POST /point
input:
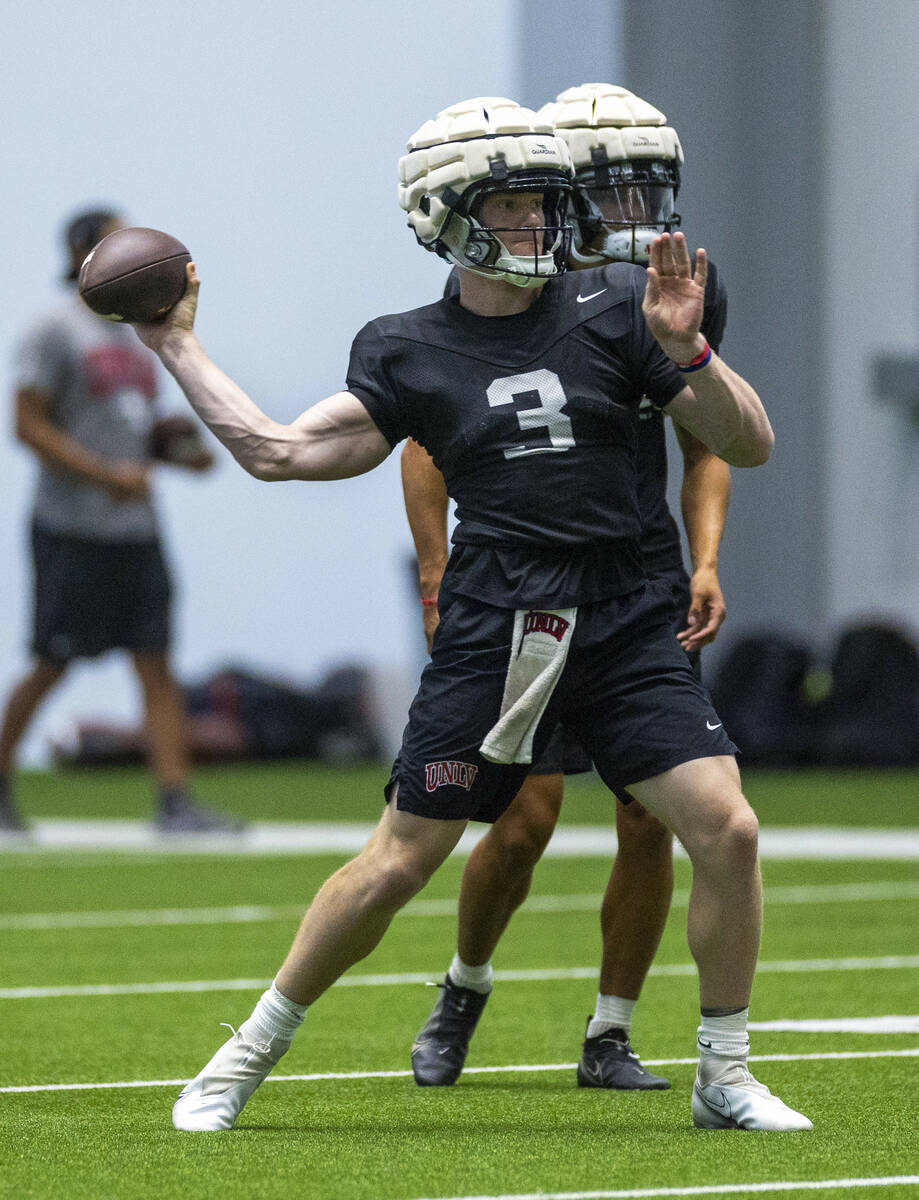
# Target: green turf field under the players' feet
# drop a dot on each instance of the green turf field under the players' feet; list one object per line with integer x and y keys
{"x": 118, "y": 969}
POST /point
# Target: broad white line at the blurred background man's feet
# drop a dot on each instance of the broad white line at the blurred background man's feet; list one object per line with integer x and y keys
{"x": 269, "y": 838}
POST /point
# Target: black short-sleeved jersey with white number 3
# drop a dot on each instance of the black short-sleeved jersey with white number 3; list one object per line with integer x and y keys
{"x": 533, "y": 422}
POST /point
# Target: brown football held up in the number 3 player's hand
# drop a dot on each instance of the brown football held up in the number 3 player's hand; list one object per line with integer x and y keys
{"x": 136, "y": 275}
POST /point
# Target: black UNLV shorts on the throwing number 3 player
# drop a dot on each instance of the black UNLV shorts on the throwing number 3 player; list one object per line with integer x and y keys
{"x": 628, "y": 695}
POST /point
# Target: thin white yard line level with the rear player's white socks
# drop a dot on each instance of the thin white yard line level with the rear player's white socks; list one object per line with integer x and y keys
{"x": 886, "y": 963}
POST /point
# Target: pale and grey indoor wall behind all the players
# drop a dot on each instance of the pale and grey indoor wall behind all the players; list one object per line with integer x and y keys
{"x": 268, "y": 140}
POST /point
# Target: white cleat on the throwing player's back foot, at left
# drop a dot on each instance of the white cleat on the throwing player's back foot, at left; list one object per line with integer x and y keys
{"x": 219, "y": 1093}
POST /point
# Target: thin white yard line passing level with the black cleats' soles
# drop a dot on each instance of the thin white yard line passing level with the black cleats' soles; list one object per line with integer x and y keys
{"x": 515, "y": 1070}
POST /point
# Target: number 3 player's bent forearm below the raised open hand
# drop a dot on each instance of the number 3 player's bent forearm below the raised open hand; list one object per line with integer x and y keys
{"x": 725, "y": 415}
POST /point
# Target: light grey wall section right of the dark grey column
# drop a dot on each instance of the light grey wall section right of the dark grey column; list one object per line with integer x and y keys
{"x": 873, "y": 307}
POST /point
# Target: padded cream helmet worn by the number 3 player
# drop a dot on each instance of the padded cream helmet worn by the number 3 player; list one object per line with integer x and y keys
{"x": 479, "y": 148}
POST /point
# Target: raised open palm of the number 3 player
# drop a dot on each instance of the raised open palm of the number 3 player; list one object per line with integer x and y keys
{"x": 675, "y": 298}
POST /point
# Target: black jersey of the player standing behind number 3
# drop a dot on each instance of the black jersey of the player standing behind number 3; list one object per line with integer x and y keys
{"x": 660, "y": 538}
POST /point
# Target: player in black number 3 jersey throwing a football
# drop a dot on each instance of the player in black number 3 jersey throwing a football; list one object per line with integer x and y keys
{"x": 526, "y": 399}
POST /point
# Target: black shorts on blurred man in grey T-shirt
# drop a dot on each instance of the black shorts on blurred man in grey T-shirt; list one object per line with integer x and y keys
{"x": 93, "y": 597}
